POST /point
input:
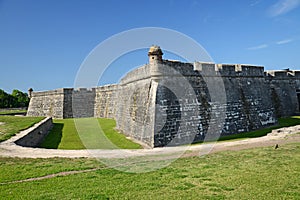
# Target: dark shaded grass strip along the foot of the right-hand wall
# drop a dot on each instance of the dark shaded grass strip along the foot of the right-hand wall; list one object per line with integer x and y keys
{"x": 282, "y": 122}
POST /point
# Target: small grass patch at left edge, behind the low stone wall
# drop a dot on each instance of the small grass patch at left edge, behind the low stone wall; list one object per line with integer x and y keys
{"x": 14, "y": 124}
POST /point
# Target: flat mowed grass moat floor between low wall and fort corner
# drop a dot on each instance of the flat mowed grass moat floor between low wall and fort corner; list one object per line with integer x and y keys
{"x": 86, "y": 133}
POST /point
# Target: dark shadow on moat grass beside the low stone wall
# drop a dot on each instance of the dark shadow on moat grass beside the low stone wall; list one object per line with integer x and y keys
{"x": 53, "y": 139}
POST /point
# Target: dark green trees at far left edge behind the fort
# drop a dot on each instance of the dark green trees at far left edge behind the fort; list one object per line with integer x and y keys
{"x": 16, "y": 99}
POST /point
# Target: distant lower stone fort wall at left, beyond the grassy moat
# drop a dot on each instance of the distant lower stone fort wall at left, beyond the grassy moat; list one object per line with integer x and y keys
{"x": 75, "y": 103}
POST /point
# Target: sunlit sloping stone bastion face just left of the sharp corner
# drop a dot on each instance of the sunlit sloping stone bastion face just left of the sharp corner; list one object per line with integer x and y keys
{"x": 135, "y": 107}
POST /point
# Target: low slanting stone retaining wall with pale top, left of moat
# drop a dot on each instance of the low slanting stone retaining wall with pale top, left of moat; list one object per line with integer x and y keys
{"x": 33, "y": 136}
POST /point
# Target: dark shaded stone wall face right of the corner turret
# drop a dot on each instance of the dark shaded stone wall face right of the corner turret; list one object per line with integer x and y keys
{"x": 190, "y": 116}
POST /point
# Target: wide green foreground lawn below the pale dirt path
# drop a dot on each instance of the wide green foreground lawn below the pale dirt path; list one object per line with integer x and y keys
{"x": 261, "y": 173}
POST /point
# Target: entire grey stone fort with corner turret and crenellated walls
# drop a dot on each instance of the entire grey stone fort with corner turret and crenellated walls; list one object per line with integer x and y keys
{"x": 146, "y": 107}
